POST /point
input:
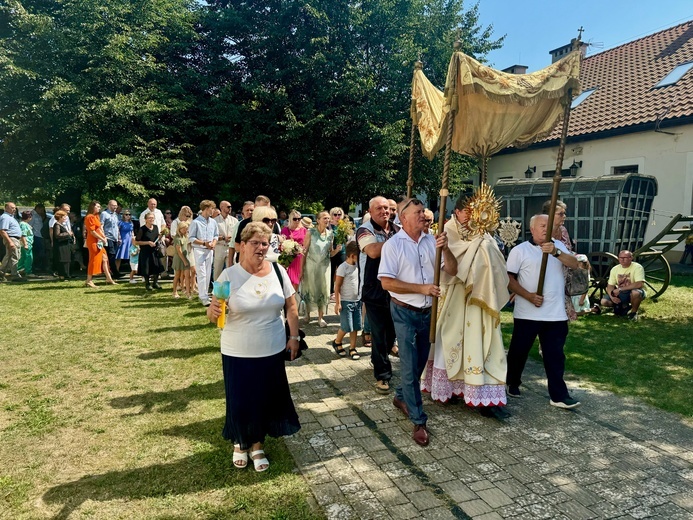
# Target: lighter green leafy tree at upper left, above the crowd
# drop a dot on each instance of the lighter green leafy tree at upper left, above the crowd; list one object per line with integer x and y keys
{"x": 92, "y": 99}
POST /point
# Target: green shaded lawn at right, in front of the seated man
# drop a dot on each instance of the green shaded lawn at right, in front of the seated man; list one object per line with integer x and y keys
{"x": 651, "y": 359}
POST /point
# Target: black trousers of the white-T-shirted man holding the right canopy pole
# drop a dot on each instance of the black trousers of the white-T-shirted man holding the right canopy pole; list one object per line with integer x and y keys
{"x": 552, "y": 336}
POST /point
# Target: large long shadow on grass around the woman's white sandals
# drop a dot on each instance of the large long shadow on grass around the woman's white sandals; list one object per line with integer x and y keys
{"x": 204, "y": 471}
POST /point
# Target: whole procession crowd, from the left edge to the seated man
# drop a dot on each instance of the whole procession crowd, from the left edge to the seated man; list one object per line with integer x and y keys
{"x": 380, "y": 277}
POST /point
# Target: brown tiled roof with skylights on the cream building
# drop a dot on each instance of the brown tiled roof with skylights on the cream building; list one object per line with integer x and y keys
{"x": 625, "y": 76}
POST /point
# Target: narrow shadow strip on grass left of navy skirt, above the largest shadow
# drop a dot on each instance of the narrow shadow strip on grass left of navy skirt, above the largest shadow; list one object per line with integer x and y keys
{"x": 169, "y": 402}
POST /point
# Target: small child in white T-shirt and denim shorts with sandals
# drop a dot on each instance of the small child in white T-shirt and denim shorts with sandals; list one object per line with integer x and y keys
{"x": 347, "y": 302}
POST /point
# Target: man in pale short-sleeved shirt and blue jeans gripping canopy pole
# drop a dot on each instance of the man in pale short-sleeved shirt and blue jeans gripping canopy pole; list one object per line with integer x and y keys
{"x": 406, "y": 271}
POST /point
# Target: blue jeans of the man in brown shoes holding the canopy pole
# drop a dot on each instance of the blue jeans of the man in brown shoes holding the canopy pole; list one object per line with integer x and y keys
{"x": 412, "y": 329}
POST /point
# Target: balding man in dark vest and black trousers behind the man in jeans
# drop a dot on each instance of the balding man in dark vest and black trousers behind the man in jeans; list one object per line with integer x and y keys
{"x": 370, "y": 238}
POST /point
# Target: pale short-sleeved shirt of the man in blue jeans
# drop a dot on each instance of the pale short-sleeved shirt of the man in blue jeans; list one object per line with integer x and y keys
{"x": 410, "y": 261}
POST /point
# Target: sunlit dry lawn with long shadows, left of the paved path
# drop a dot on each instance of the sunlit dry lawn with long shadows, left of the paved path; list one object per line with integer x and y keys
{"x": 112, "y": 405}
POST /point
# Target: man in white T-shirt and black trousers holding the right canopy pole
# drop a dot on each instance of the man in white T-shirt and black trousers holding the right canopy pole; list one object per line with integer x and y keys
{"x": 536, "y": 315}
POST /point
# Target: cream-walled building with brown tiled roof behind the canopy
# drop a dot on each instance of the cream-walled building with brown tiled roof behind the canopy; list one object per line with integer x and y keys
{"x": 634, "y": 115}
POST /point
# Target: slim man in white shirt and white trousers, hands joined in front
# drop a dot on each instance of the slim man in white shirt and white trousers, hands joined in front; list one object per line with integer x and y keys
{"x": 203, "y": 235}
